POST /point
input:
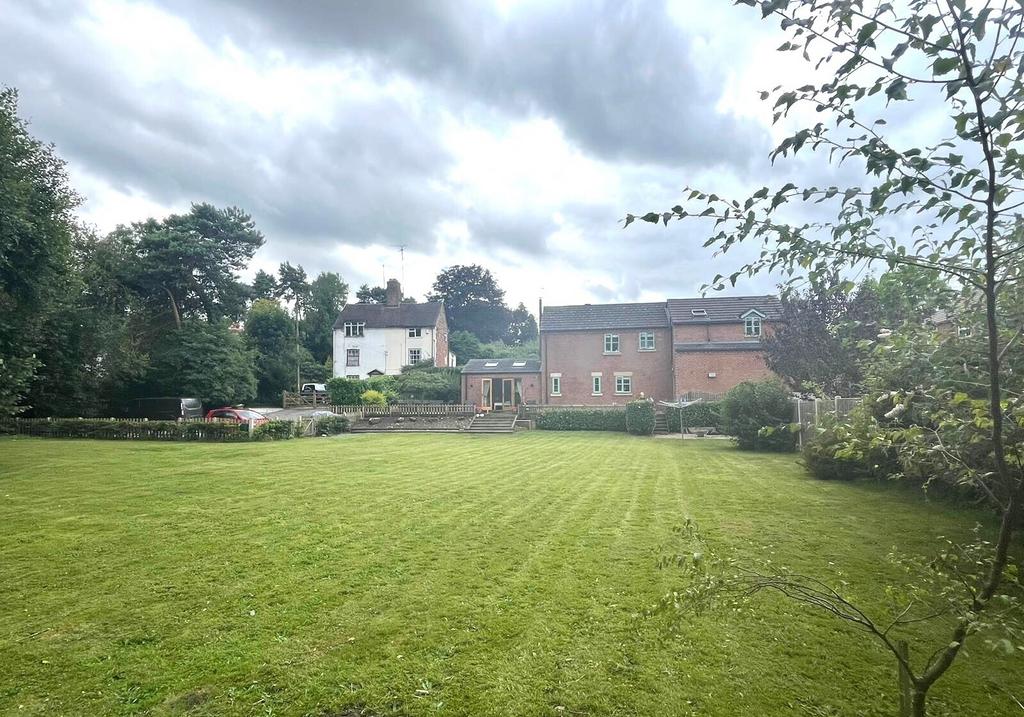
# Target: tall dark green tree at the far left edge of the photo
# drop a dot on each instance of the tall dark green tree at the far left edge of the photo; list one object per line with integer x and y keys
{"x": 36, "y": 228}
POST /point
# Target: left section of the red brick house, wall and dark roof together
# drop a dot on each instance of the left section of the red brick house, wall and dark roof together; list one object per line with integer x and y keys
{"x": 601, "y": 355}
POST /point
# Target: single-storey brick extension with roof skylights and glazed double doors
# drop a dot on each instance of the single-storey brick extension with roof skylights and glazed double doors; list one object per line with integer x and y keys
{"x": 496, "y": 385}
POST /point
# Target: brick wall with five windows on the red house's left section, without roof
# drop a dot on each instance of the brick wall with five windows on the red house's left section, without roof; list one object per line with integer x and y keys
{"x": 577, "y": 355}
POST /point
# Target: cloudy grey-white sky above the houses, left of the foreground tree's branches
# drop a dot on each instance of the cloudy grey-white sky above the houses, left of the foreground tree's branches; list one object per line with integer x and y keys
{"x": 515, "y": 135}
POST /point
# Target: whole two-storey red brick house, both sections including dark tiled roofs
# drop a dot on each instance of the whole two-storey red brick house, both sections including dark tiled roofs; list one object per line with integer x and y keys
{"x": 601, "y": 355}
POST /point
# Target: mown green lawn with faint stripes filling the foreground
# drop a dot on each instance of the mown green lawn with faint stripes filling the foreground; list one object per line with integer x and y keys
{"x": 438, "y": 575}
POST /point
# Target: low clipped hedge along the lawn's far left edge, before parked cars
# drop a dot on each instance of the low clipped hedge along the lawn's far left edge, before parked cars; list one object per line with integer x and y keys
{"x": 222, "y": 432}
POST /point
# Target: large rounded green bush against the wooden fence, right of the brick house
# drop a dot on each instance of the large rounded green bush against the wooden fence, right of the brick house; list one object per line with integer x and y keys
{"x": 758, "y": 414}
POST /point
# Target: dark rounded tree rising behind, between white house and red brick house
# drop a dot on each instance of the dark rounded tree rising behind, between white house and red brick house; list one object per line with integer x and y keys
{"x": 474, "y": 302}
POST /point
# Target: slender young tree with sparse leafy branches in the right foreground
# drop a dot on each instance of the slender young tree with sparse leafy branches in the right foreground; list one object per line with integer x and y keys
{"x": 966, "y": 190}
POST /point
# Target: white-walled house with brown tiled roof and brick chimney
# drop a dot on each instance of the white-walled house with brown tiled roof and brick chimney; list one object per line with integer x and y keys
{"x": 380, "y": 340}
